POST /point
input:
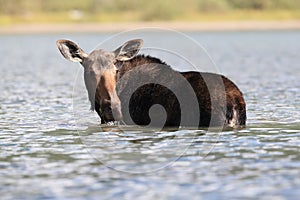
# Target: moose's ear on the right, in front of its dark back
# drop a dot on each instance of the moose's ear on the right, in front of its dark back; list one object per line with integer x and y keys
{"x": 128, "y": 50}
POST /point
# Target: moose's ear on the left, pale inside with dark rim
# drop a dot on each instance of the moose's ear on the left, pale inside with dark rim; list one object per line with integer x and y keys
{"x": 71, "y": 51}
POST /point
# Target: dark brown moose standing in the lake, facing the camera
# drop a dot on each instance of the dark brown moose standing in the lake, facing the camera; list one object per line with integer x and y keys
{"x": 112, "y": 80}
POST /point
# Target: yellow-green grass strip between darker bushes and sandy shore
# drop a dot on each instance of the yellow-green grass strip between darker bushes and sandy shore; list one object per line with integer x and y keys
{"x": 71, "y": 17}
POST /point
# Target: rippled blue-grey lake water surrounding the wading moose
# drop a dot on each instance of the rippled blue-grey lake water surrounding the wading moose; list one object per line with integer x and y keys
{"x": 48, "y": 152}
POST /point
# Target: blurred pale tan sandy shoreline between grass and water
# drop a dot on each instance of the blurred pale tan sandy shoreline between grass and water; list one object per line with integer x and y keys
{"x": 179, "y": 26}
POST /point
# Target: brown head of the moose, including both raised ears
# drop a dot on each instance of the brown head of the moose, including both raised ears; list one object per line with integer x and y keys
{"x": 100, "y": 74}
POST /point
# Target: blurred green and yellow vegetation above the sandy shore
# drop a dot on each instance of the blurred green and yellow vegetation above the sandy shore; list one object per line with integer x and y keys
{"x": 68, "y": 11}
